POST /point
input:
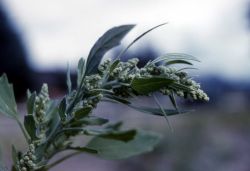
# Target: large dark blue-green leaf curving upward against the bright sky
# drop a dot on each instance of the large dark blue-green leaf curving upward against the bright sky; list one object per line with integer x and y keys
{"x": 109, "y": 40}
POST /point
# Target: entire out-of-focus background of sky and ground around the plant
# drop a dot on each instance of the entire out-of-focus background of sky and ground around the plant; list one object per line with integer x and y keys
{"x": 38, "y": 38}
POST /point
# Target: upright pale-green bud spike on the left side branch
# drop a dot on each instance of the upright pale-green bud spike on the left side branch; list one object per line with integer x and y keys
{"x": 41, "y": 103}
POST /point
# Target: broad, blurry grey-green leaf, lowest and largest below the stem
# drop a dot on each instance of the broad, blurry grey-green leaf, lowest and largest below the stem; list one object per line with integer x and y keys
{"x": 114, "y": 149}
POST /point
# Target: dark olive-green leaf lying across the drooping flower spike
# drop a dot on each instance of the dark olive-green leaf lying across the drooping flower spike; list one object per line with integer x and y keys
{"x": 145, "y": 85}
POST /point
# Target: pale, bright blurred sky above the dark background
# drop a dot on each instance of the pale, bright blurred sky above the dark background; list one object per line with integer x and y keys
{"x": 60, "y": 31}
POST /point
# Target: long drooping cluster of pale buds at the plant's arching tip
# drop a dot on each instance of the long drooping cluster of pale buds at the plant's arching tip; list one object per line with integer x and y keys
{"x": 125, "y": 72}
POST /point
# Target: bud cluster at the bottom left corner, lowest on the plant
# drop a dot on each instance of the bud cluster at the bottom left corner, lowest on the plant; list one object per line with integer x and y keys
{"x": 28, "y": 160}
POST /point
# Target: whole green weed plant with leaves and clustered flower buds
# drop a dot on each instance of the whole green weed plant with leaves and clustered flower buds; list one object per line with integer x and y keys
{"x": 50, "y": 126}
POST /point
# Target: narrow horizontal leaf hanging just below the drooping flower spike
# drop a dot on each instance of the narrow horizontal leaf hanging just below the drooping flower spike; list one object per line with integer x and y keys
{"x": 157, "y": 111}
